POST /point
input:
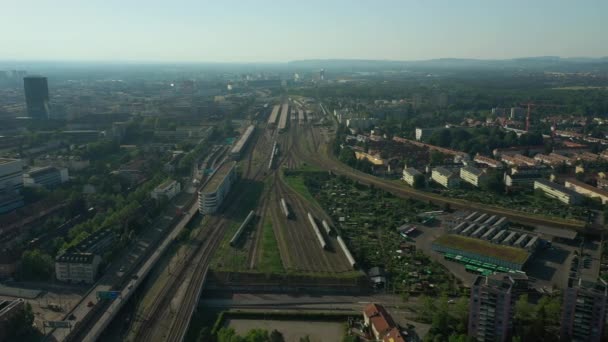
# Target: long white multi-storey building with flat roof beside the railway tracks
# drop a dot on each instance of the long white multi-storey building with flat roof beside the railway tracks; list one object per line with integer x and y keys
{"x": 217, "y": 188}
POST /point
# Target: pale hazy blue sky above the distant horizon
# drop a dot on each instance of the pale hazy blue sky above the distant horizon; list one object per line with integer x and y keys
{"x": 283, "y": 30}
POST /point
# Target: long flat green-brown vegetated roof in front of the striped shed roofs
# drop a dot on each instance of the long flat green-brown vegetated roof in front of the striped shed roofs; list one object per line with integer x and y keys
{"x": 482, "y": 247}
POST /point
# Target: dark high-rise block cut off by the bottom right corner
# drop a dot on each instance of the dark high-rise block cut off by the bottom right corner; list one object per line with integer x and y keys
{"x": 584, "y": 310}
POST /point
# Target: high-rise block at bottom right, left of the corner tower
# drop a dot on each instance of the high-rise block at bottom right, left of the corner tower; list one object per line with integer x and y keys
{"x": 491, "y": 306}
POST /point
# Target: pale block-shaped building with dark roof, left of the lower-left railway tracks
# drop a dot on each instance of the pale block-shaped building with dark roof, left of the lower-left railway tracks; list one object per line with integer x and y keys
{"x": 77, "y": 267}
